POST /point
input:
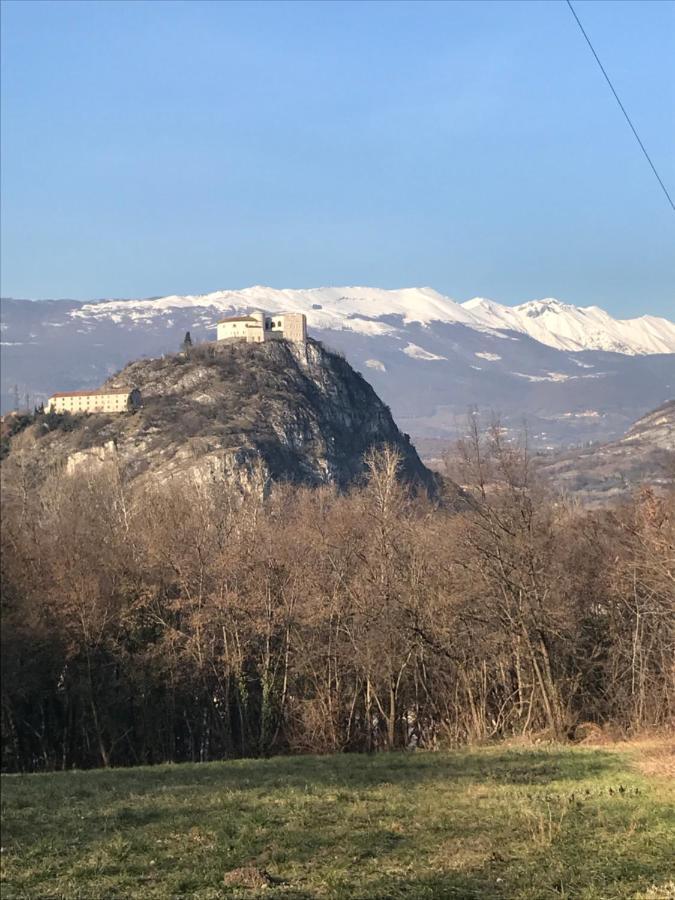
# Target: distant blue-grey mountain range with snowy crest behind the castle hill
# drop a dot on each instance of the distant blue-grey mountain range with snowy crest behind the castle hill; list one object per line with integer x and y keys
{"x": 573, "y": 374}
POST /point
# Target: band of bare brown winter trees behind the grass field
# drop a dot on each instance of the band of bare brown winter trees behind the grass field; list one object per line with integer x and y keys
{"x": 192, "y": 622}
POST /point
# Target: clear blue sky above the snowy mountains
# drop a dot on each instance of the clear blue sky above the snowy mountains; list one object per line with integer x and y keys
{"x": 182, "y": 147}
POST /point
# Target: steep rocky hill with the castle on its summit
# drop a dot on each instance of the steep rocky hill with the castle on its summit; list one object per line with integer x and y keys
{"x": 285, "y": 411}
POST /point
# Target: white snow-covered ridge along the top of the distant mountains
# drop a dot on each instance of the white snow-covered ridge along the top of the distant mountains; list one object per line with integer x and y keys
{"x": 377, "y": 311}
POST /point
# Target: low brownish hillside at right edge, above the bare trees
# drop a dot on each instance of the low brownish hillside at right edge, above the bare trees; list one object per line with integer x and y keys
{"x": 606, "y": 472}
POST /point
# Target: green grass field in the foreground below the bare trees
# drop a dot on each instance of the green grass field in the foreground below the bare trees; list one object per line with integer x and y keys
{"x": 496, "y": 823}
